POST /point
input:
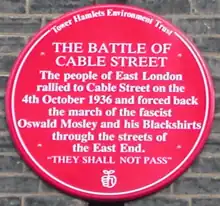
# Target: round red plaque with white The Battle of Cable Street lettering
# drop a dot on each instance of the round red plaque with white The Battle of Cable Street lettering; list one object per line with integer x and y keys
{"x": 110, "y": 103}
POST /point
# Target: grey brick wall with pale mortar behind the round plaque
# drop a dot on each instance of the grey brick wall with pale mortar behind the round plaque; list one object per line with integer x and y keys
{"x": 19, "y": 19}
